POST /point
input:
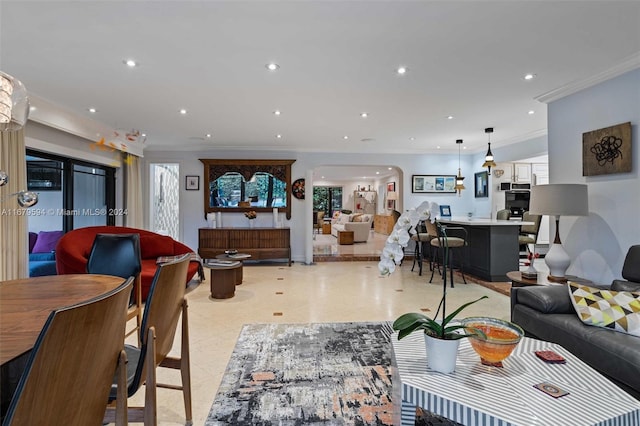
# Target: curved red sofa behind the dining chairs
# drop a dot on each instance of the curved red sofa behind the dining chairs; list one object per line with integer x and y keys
{"x": 73, "y": 249}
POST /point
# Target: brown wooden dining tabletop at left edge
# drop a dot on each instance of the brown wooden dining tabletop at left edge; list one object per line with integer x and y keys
{"x": 25, "y": 305}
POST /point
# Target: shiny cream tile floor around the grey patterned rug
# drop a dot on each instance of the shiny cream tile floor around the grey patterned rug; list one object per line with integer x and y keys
{"x": 323, "y": 292}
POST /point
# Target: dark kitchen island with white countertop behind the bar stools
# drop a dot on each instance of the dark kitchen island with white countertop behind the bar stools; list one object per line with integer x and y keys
{"x": 493, "y": 248}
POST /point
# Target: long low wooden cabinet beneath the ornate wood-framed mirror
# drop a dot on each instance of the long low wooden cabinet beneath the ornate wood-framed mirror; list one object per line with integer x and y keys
{"x": 260, "y": 243}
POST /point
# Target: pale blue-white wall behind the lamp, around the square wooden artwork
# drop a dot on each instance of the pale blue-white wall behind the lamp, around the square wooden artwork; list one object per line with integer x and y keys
{"x": 597, "y": 243}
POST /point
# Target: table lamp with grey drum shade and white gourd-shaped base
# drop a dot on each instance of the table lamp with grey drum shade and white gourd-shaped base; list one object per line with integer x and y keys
{"x": 559, "y": 200}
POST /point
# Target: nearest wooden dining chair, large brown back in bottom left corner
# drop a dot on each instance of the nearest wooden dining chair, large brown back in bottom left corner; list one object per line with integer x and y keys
{"x": 70, "y": 370}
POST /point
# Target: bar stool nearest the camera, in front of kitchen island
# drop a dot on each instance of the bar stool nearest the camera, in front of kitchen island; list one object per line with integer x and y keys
{"x": 446, "y": 245}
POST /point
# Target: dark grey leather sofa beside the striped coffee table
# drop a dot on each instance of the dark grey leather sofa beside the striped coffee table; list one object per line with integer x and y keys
{"x": 546, "y": 313}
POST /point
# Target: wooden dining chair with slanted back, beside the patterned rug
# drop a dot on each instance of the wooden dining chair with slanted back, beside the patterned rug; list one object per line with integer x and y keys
{"x": 165, "y": 304}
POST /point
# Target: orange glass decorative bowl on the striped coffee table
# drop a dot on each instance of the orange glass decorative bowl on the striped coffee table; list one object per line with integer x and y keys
{"x": 501, "y": 338}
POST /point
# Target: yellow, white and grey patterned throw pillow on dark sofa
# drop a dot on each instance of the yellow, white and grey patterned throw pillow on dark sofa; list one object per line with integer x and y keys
{"x": 617, "y": 310}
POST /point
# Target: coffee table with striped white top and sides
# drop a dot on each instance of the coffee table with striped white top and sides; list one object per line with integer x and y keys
{"x": 479, "y": 395}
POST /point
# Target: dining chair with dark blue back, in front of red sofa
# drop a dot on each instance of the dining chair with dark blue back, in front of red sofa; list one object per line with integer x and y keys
{"x": 119, "y": 255}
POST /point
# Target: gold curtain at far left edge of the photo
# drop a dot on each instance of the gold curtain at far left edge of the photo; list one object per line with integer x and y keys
{"x": 14, "y": 232}
